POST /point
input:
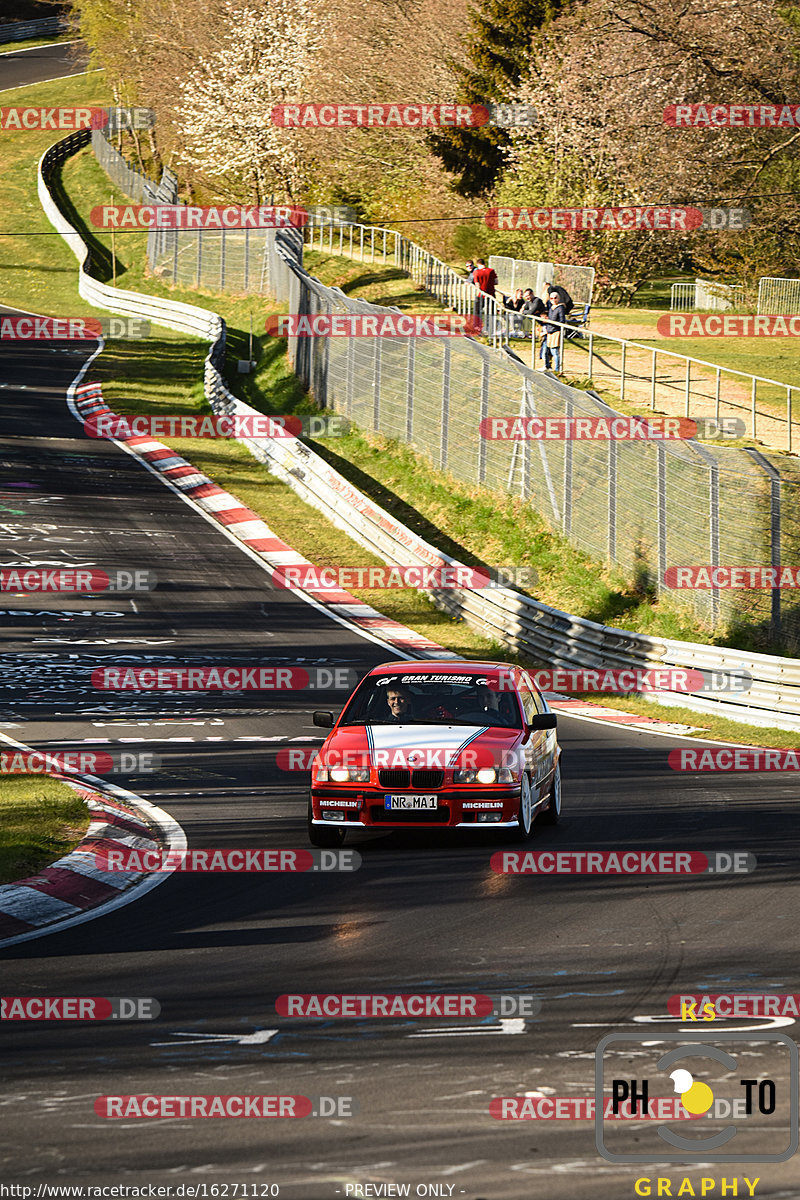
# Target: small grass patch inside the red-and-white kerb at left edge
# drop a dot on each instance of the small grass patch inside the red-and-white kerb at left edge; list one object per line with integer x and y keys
{"x": 41, "y": 820}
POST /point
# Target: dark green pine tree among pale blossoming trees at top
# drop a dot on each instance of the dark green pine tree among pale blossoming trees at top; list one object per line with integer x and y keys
{"x": 497, "y": 59}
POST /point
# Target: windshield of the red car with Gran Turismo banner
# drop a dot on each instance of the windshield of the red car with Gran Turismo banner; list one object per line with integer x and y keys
{"x": 435, "y": 700}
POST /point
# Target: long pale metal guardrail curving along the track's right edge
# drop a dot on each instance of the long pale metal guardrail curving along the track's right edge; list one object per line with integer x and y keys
{"x": 524, "y": 626}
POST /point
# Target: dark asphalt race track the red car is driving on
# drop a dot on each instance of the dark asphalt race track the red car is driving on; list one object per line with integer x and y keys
{"x": 424, "y": 913}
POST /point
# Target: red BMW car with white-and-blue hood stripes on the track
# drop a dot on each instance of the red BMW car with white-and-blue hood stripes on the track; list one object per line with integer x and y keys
{"x": 454, "y": 745}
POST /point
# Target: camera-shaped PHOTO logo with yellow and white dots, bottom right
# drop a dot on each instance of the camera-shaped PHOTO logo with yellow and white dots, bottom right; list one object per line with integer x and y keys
{"x": 753, "y": 1078}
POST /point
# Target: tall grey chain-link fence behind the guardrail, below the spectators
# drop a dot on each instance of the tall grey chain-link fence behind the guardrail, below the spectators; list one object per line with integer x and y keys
{"x": 645, "y": 506}
